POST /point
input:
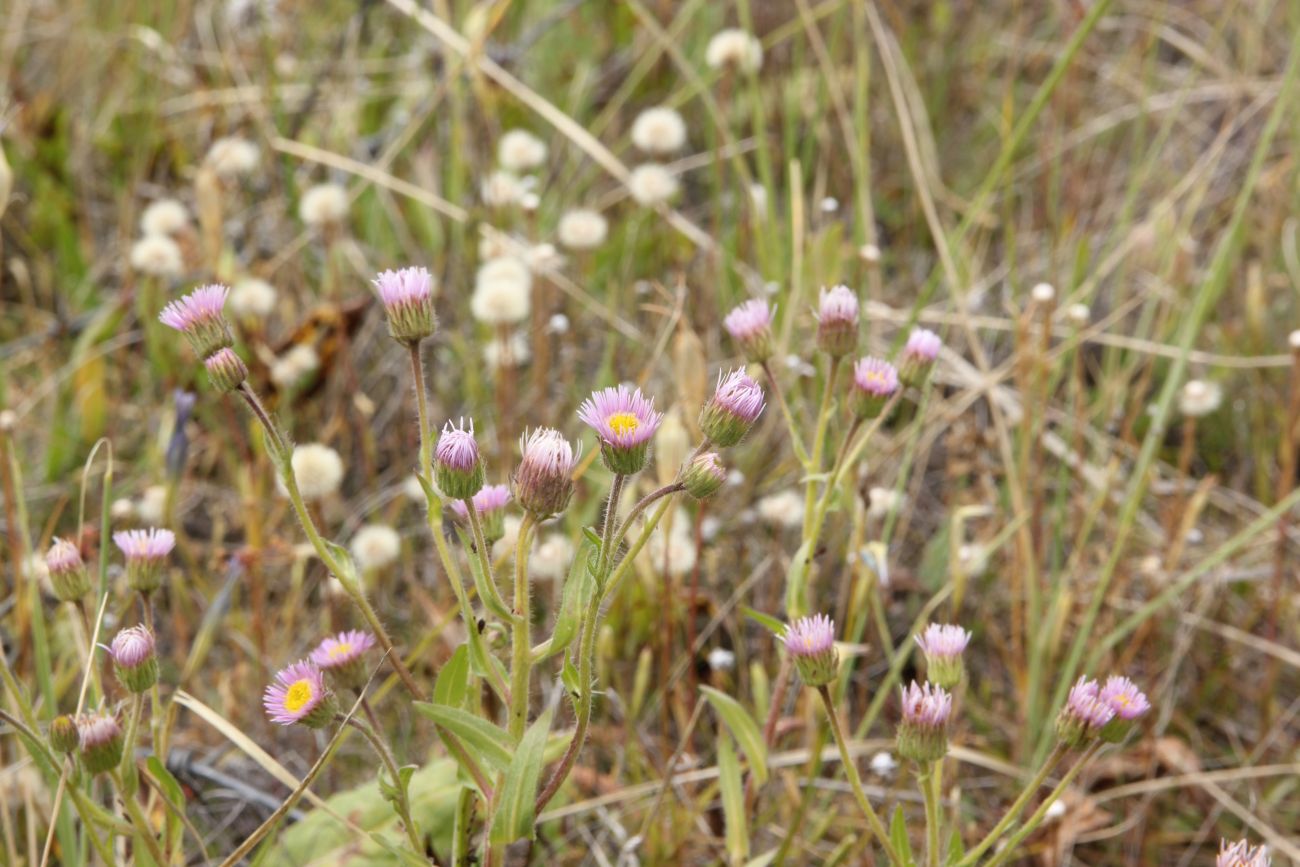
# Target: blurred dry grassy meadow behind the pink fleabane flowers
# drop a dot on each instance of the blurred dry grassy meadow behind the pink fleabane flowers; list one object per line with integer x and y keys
{"x": 1054, "y": 488}
